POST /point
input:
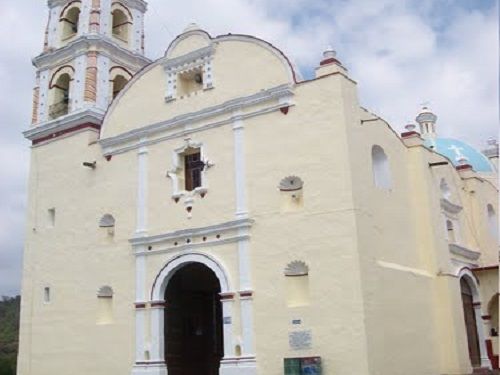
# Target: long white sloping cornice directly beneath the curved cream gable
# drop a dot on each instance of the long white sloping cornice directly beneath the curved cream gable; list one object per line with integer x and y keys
{"x": 112, "y": 145}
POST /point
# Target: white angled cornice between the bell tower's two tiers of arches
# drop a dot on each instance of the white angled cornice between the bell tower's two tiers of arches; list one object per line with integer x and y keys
{"x": 85, "y": 43}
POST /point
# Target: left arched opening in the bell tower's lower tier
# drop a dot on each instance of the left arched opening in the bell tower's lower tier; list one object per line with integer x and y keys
{"x": 60, "y": 92}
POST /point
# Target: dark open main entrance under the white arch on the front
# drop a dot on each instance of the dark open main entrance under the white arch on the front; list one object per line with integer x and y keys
{"x": 193, "y": 322}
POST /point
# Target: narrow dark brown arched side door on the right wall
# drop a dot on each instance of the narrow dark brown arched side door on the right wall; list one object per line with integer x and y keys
{"x": 470, "y": 322}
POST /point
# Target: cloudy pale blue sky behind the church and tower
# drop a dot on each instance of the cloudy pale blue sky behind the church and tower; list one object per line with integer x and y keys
{"x": 402, "y": 53}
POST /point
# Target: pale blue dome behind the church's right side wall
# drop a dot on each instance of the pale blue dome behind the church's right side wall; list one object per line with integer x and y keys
{"x": 453, "y": 149}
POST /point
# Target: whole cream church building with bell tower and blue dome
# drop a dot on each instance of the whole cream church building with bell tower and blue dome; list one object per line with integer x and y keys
{"x": 212, "y": 212}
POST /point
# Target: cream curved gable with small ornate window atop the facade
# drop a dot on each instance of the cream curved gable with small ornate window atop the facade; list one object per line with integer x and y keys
{"x": 227, "y": 68}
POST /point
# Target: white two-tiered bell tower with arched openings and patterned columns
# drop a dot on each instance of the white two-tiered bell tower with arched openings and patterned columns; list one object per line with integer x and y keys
{"x": 92, "y": 48}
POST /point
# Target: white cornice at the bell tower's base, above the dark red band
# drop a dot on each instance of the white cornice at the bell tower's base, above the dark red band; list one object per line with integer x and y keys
{"x": 91, "y": 115}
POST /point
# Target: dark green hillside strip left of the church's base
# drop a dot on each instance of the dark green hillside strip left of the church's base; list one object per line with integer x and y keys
{"x": 9, "y": 333}
